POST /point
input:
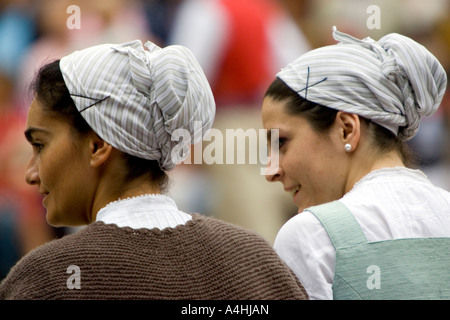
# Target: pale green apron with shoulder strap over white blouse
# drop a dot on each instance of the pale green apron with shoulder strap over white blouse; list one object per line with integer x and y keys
{"x": 416, "y": 268}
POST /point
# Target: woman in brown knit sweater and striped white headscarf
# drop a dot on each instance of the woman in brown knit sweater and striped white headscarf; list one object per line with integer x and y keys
{"x": 101, "y": 128}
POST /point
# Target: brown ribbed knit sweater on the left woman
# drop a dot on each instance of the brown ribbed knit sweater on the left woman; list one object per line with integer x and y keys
{"x": 204, "y": 259}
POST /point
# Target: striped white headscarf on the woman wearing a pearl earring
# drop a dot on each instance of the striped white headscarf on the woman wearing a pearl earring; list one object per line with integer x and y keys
{"x": 393, "y": 81}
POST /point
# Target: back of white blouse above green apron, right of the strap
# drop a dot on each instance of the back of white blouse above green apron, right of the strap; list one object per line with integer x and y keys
{"x": 389, "y": 203}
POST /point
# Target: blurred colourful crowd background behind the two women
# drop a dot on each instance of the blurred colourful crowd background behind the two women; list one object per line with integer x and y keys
{"x": 241, "y": 44}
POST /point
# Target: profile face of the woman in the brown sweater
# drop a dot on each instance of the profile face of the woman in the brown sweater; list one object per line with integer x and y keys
{"x": 59, "y": 167}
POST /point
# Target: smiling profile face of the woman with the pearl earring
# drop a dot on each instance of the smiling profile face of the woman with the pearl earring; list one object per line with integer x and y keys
{"x": 311, "y": 165}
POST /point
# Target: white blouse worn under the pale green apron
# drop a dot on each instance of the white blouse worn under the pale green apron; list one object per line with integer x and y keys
{"x": 388, "y": 203}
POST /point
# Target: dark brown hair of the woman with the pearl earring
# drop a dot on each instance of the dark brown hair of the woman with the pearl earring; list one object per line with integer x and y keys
{"x": 321, "y": 118}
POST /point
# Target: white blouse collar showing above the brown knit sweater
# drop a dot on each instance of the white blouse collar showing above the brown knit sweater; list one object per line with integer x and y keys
{"x": 146, "y": 211}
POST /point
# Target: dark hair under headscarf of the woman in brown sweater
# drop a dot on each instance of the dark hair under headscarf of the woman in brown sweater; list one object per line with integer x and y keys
{"x": 54, "y": 98}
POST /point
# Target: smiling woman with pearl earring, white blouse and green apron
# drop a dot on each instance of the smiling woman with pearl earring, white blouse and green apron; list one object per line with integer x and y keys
{"x": 370, "y": 226}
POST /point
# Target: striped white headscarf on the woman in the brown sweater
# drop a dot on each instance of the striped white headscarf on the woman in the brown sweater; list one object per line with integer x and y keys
{"x": 135, "y": 99}
